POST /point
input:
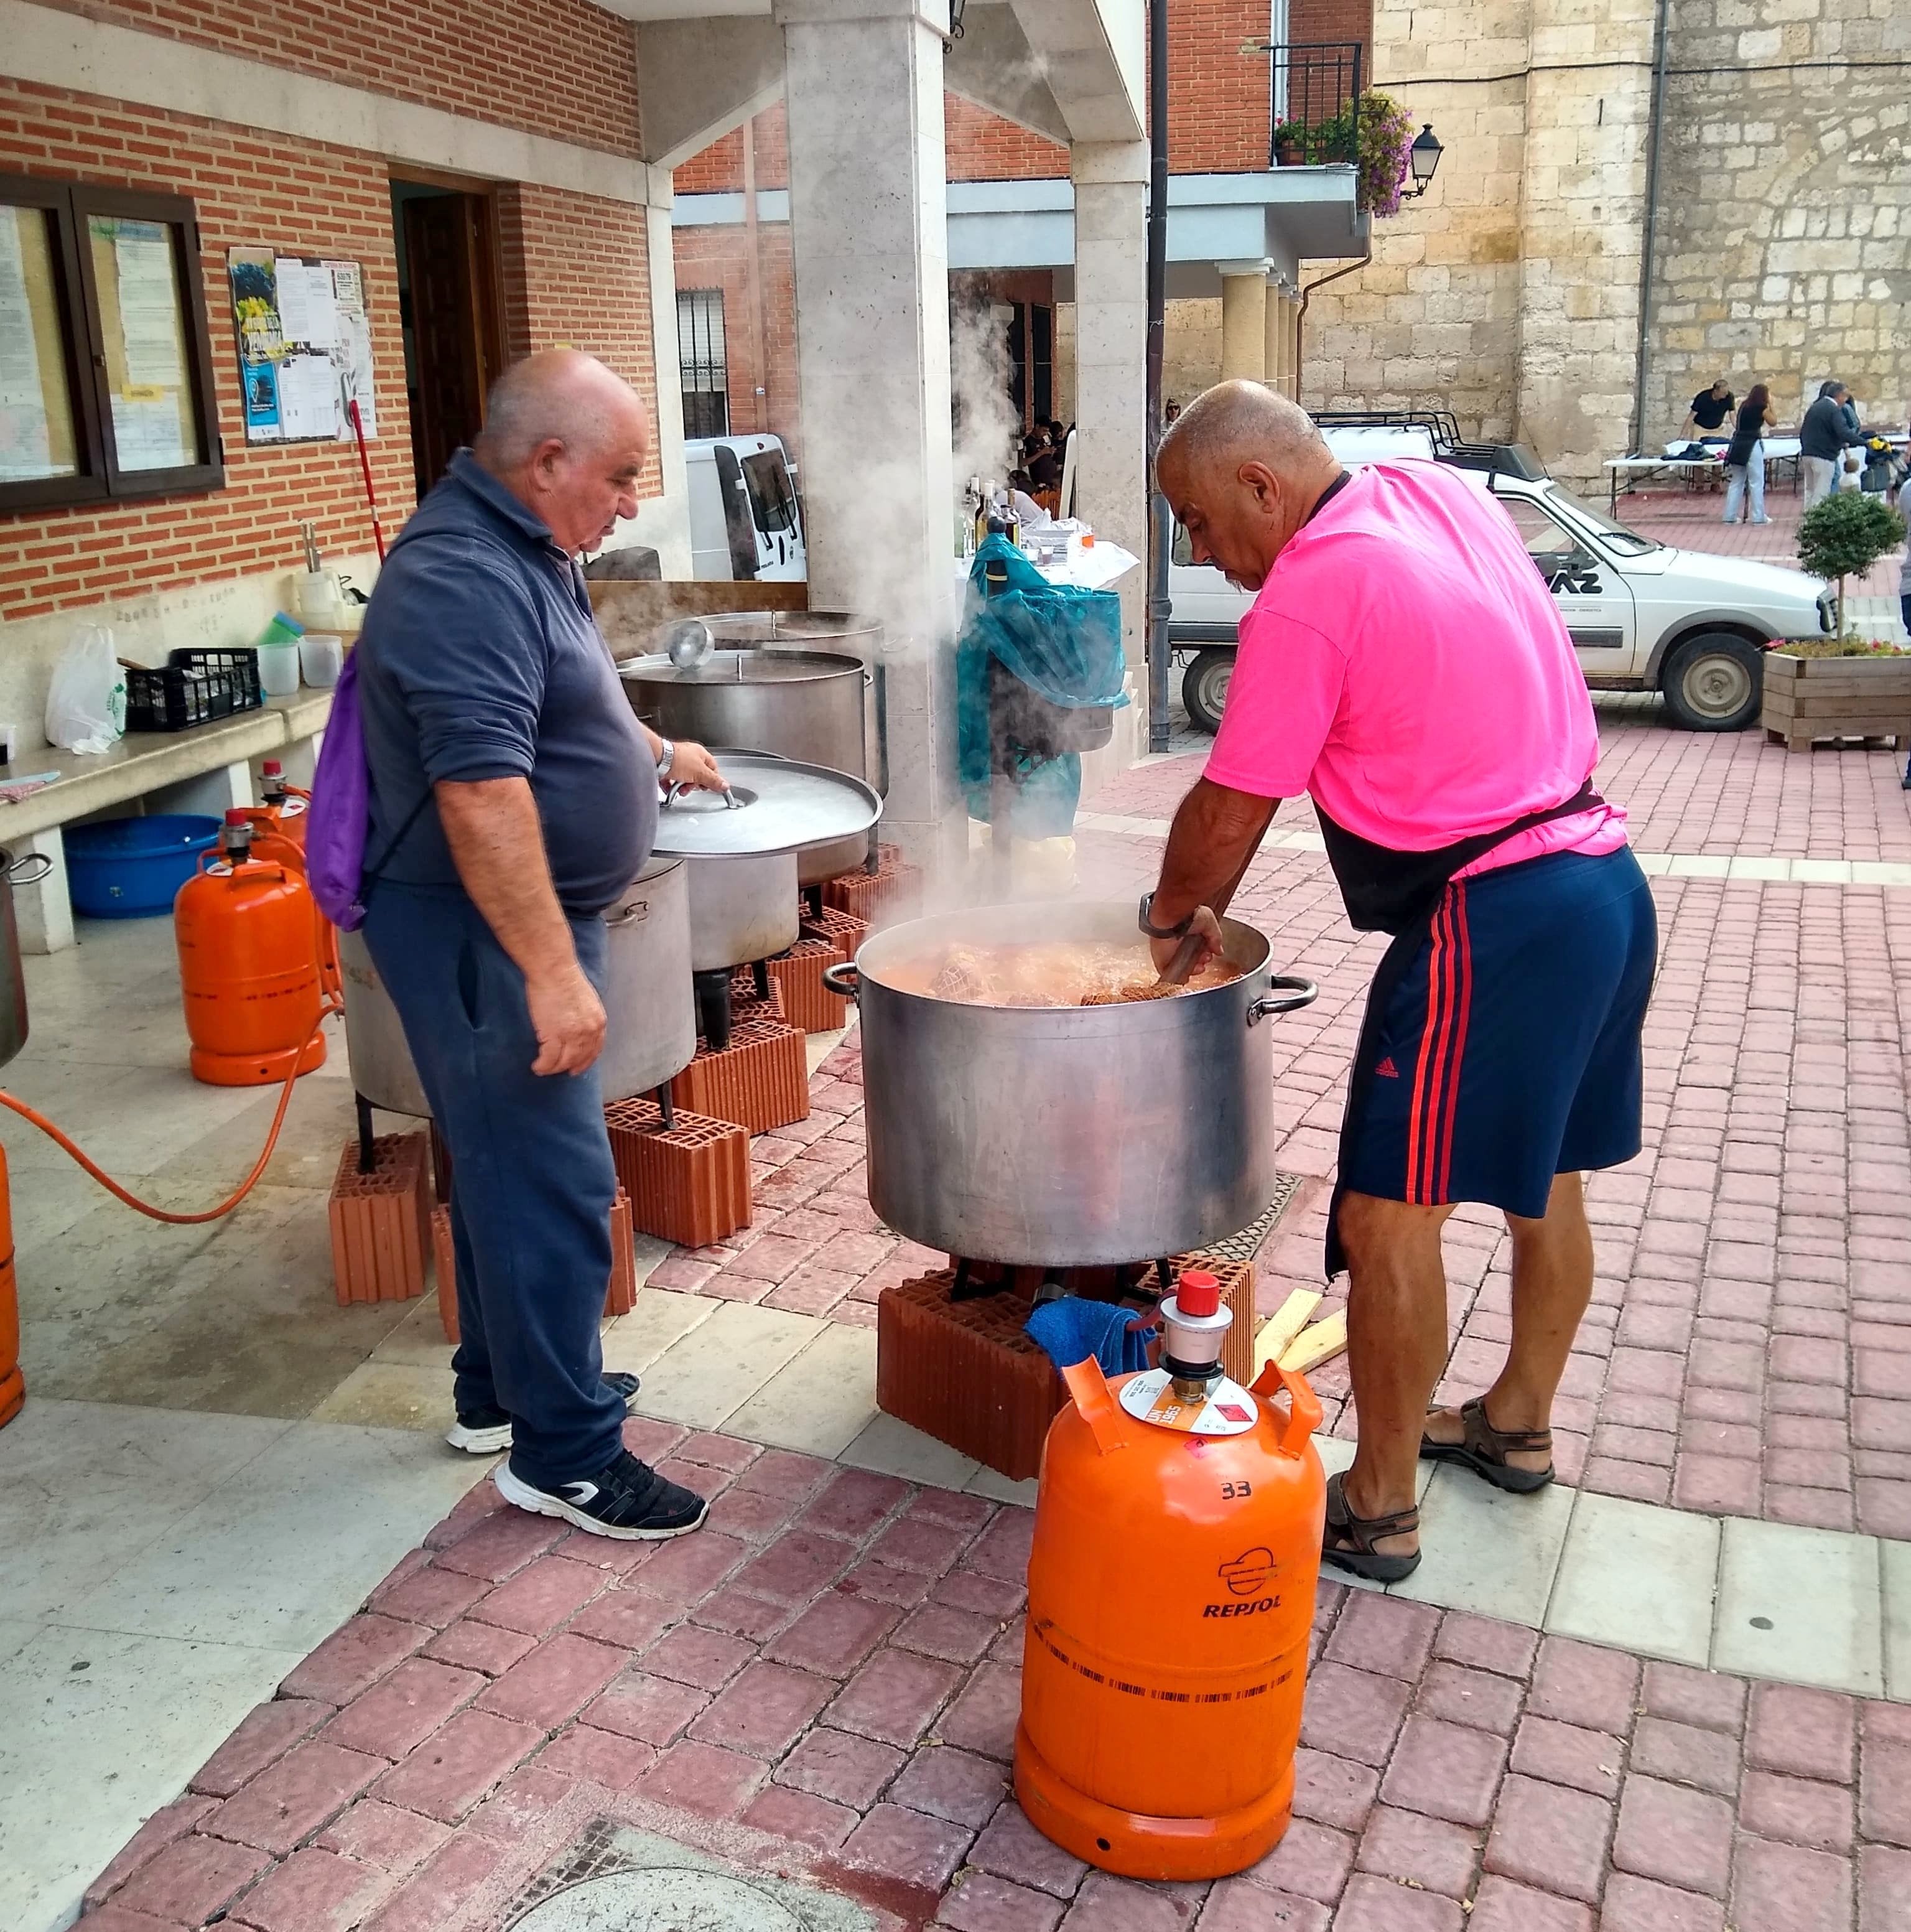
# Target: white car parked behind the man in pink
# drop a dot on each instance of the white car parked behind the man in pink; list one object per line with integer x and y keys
{"x": 1643, "y": 617}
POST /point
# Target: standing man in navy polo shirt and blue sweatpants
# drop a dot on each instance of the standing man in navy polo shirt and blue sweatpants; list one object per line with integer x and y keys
{"x": 513, "y": 801}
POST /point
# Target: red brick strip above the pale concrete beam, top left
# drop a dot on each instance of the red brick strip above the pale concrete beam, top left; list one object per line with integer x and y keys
{"x": 557, "y": 67}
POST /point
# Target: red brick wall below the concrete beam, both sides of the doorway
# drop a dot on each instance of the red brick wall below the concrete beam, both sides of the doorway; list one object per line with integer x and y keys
{"x": 575, "y": 268}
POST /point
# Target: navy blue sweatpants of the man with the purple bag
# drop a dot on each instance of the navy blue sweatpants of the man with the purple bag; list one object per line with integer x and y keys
{"x": 532, "y": 1179}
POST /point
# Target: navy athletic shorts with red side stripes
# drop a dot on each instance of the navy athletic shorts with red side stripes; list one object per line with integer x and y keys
{"x": 1508, "y": 1048}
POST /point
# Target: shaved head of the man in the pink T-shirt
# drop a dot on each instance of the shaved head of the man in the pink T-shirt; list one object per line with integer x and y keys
{"x": 1243, "y": 469}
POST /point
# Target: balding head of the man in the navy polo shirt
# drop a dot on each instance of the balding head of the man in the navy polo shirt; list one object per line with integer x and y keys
{"x": 569, "y": 440}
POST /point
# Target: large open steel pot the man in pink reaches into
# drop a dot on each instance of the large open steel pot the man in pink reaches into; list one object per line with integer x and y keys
{"x": 1066, "y": 1135}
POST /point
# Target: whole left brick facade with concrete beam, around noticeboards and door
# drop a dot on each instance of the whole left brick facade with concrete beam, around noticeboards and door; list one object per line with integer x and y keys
{"x": 538, "y": 101}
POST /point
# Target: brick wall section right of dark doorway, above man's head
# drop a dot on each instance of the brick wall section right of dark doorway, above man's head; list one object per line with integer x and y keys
{"x": 577, "y": 275}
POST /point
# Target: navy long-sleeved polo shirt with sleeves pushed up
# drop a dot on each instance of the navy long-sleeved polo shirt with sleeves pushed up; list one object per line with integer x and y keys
{"x": 482, "y": 660}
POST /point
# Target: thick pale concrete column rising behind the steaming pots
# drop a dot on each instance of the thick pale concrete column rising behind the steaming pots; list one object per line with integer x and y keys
{"x": 870, "y": 241}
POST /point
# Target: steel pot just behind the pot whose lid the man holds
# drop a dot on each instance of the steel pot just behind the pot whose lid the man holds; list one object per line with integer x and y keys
{"x": 795, "y": 704}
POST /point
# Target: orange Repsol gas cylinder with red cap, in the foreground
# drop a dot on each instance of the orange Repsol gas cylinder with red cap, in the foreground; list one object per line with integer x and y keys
{"x": 1170, "y": 1603}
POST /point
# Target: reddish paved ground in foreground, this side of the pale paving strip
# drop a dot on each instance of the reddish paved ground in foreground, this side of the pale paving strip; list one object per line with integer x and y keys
{"x": 824, "y": 1684}
